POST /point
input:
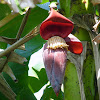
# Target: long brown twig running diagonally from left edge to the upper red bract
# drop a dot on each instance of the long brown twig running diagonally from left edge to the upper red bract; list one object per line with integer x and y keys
{"x": 26, "y": 38}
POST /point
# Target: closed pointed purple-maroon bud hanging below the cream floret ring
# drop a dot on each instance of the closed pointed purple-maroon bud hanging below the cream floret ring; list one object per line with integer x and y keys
{"x": 55, "y": 64}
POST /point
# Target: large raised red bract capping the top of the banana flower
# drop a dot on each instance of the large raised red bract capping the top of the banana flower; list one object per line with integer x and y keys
{"x": 55, "y": 25}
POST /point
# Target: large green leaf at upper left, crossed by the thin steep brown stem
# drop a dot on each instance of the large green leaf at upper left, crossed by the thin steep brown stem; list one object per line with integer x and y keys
{"x": 37, "y": 15}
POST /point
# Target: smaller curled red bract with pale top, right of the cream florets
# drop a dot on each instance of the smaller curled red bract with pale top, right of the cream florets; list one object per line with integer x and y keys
{"x": 75, "y": 45}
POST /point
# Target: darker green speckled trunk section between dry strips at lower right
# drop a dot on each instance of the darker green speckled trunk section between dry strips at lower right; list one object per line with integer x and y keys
{"x": 89, "y": 78}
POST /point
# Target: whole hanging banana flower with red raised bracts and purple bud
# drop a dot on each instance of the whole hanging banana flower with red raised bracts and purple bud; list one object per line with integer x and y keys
{"x": 56, "y": 29}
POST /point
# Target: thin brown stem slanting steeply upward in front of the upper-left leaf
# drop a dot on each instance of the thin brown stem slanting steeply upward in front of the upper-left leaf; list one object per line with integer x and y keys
{"x": 23, "y": 24}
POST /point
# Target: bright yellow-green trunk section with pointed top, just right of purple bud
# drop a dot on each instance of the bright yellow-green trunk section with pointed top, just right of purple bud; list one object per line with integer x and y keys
{"x": 71, "y": 83}
